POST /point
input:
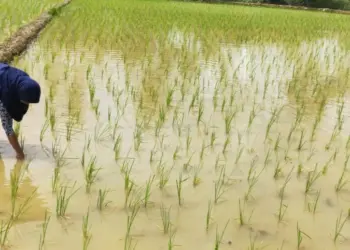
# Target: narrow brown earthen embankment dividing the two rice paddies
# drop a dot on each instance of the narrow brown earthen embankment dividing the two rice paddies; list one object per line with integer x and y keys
{"x": 19, "y": 41}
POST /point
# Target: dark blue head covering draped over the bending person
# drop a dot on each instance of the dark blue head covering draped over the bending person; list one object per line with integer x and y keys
{"x": 17, "y": 87}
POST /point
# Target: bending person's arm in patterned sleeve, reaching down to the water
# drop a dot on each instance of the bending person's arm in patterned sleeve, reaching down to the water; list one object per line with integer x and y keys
{"x": 6, "y": 121}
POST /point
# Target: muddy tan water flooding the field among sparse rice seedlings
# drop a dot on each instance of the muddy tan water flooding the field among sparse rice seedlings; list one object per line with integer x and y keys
{"x": 237, "y": 76}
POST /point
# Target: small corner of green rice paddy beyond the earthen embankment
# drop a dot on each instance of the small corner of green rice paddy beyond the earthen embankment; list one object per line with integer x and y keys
{"x": 15, "y": 13}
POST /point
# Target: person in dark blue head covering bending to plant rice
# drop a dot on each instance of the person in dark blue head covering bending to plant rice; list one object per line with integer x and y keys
{"x": 17, "y": 91}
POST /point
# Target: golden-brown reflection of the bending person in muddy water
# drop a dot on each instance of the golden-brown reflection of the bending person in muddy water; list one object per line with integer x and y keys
{"x": 35, "y": 210}
